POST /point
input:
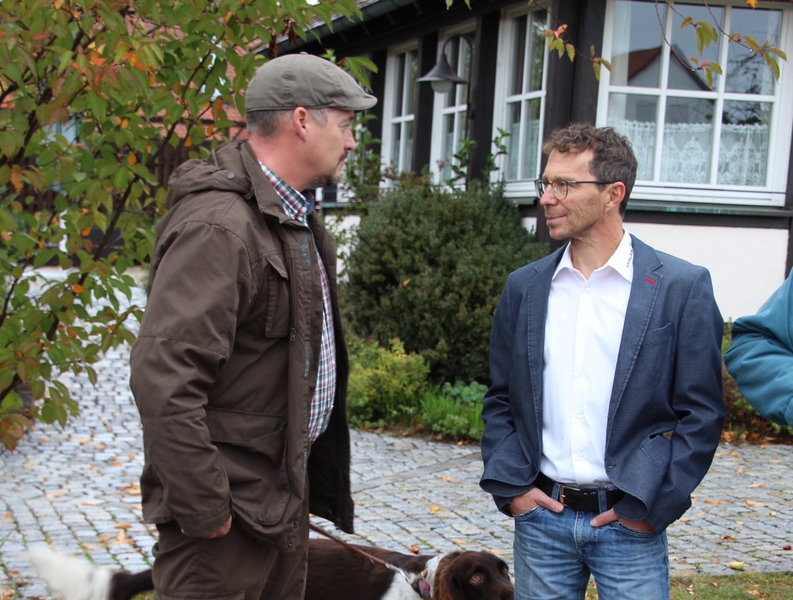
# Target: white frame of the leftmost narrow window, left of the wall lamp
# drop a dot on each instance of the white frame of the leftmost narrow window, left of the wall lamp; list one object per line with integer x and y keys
{"x": 390, "y": 110}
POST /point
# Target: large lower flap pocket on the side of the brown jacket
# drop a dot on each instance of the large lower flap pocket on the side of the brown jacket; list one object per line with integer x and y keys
{"x": 252, "y": 449}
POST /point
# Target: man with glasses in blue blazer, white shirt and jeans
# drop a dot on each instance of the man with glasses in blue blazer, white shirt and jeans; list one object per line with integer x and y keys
{"x": 606, "y": 407}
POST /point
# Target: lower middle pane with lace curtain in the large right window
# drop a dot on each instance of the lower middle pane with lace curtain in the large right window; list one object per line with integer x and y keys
{"x": 688, "y": 140}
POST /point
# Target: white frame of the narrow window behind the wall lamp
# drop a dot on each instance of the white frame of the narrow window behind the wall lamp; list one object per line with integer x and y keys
{"x": 460, "y": 105}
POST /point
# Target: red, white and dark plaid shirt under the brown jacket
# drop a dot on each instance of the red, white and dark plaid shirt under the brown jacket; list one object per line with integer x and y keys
{"x": 297, "y": 207}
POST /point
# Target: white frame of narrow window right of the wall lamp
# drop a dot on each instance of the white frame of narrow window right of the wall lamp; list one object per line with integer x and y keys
{"x": 520, "y": 188}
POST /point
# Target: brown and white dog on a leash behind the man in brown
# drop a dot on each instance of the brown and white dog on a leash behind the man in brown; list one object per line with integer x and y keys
{"x": 334, "y": 573}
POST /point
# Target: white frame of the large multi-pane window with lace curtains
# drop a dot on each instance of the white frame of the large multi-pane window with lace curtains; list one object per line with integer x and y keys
{"x": 770, "y": 194}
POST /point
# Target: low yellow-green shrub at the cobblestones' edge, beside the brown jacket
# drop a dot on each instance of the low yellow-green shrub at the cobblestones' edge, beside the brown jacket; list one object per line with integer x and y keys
{"x": 385, "y": 386}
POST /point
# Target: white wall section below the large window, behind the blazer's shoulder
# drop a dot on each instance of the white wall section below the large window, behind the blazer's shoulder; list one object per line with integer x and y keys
{"x": 746, "y": 264}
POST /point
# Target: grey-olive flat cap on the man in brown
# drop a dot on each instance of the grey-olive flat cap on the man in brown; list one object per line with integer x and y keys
{"x": 304, "y": 80}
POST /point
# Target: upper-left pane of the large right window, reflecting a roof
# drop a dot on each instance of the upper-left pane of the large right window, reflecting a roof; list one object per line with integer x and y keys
{"x": 636, "y": 58}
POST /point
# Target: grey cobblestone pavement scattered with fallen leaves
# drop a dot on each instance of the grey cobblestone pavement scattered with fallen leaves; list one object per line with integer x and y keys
{"x": 77, "y": 489}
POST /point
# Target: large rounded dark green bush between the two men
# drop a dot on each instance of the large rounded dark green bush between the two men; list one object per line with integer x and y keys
{"x": 428, "y": 266}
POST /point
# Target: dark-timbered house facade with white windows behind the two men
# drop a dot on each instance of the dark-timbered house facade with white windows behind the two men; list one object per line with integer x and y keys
{"x": 715, "y": 181}
